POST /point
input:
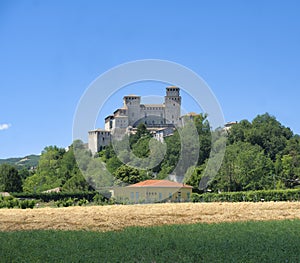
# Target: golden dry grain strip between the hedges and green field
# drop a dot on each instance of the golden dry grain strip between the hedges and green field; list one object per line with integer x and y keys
{"x": 117, "y": 217}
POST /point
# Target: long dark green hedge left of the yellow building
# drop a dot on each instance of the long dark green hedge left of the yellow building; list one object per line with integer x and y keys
{"x": 47, "y": 197}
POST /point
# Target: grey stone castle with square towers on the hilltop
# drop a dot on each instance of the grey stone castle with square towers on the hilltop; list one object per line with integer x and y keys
{"x": 160, "y": 119}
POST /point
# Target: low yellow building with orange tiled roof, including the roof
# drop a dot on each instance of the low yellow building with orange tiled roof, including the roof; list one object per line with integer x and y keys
{"x": 151, "y": 191}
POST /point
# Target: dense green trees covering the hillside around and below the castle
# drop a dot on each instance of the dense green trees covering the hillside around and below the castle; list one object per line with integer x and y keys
{"x": 261, "y": 154}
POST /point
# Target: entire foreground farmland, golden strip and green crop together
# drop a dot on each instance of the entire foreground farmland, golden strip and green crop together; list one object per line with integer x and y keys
{"x": 186, "y": 232}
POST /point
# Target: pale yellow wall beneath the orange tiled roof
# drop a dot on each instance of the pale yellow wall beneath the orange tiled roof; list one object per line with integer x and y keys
{"x": 152, "y": 194}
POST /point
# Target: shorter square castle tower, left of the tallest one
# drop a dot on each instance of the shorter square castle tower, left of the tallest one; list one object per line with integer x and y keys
{"x": 133, "y": 105}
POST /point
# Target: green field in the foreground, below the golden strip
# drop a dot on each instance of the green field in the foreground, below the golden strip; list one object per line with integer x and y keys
{"x": 271, "y": 241}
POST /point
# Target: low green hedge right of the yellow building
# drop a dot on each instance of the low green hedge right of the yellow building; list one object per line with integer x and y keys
{"x": 249, "y": 196}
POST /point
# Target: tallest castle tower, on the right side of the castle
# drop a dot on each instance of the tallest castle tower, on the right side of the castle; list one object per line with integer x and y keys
{"x": 172, "y": 105}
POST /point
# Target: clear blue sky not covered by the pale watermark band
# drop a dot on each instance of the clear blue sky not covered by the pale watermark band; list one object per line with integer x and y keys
{"x": 51, "y": 51}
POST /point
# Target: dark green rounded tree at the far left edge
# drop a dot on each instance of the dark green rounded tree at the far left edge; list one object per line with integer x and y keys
{"x": 10, "y": 180}
